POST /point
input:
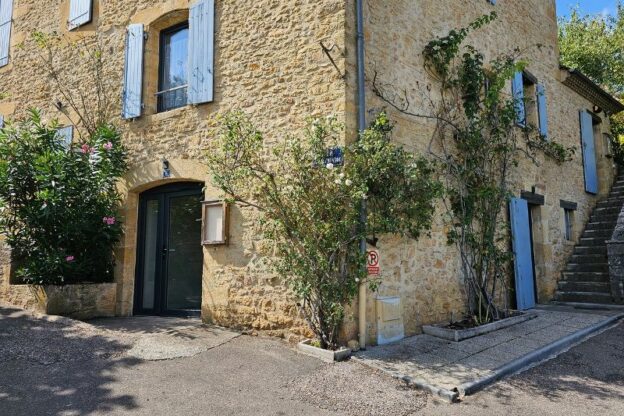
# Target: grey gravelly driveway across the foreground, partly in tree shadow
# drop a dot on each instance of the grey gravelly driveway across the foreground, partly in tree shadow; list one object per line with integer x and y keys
{"x": 72, "y": 368}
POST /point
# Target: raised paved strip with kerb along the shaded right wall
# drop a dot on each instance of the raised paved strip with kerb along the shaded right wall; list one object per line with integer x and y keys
{"x": 447, "y": 365}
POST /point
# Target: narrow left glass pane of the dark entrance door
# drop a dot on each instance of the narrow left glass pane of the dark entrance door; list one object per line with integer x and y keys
{"x": 150, "y": 253}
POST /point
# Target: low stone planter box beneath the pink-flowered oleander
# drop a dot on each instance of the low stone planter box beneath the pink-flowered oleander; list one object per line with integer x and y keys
{"x": 82, "y": 301}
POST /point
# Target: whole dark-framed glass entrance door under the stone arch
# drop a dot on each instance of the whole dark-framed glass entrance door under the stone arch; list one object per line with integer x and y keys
{"x": 170, "y": 255}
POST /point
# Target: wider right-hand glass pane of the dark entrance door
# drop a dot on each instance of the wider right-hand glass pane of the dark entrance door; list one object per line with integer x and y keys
{"x": 185, "y": 254}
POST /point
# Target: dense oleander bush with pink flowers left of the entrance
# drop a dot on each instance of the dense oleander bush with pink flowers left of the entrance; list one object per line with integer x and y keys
{"x": 58, "y": 203}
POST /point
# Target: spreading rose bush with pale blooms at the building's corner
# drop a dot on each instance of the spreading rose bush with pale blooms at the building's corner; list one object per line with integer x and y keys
{"x": 309, "y": 207}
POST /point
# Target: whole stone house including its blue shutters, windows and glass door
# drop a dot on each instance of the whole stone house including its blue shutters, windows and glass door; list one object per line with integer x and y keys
{"x": 178, "y": 65}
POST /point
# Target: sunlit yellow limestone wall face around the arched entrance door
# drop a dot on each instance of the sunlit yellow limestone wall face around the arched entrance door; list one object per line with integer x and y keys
{"x": 268, "y": 62}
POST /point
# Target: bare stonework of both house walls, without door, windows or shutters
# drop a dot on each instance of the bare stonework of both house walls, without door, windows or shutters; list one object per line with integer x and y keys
{"x": 269, "y": 62}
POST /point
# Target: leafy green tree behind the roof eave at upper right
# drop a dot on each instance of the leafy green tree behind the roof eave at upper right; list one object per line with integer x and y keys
{"x": 595, "y": 45}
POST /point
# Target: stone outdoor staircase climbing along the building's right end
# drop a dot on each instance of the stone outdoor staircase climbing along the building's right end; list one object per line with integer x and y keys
{"x": 586, "y": 278}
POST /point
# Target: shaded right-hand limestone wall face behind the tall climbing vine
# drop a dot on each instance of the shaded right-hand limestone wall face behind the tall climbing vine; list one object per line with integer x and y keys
{"x": 425, "y": 274}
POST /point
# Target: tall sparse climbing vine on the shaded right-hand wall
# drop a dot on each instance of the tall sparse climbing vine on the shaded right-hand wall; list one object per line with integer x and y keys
{"x": 477, "y": 143}
